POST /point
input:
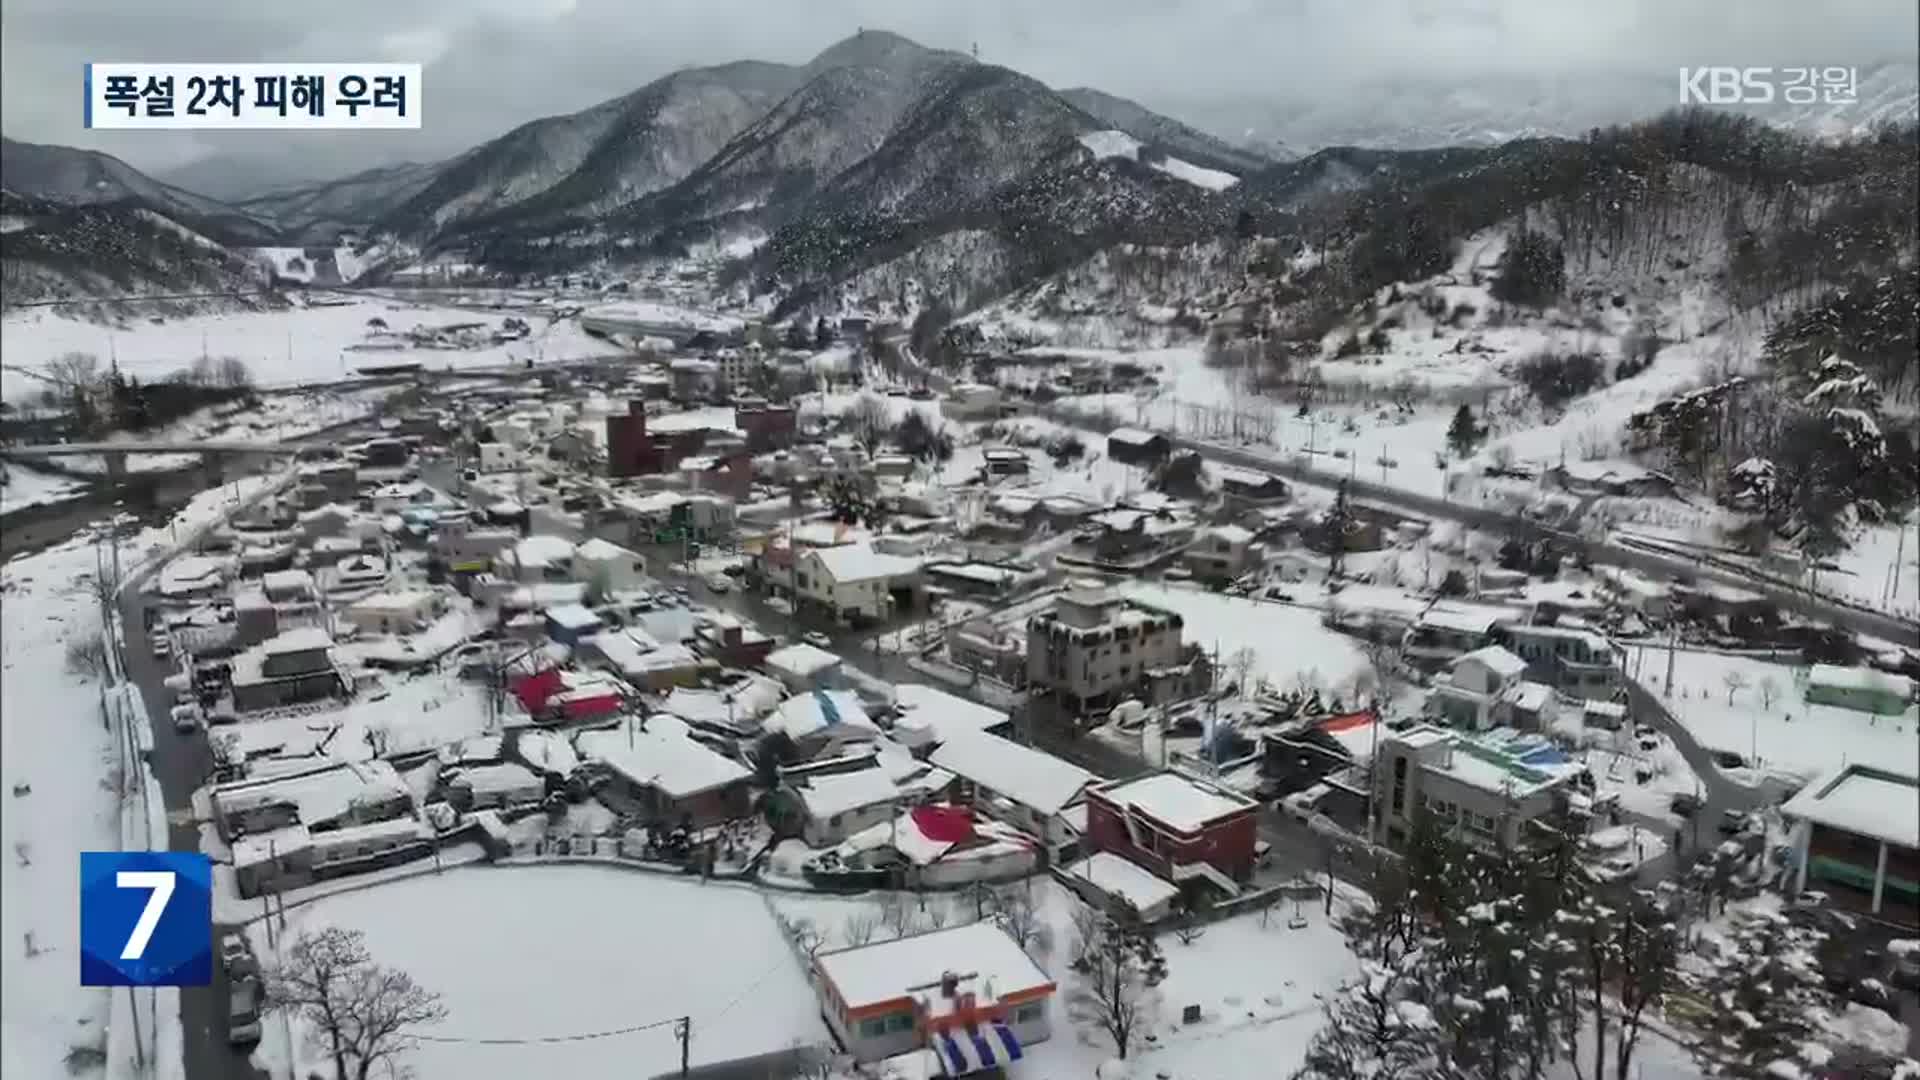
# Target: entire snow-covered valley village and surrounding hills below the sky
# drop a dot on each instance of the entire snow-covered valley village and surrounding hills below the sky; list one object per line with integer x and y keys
{"x": 1301, "y": 639}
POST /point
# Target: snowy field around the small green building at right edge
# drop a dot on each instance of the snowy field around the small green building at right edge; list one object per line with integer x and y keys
{"x": 1758, "y": 710}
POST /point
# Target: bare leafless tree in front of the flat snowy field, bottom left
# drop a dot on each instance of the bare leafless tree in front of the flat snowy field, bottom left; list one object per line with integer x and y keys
{"x": 356, "y": 1010}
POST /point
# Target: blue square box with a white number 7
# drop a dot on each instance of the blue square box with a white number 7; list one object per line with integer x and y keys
{"x": 147, "y": 920}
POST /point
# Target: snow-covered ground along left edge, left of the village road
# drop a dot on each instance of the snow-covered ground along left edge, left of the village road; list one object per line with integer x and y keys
{"x": 60, "y": 777}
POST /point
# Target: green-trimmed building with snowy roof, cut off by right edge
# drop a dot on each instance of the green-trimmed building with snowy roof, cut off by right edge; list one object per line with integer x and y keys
{"x": 1858, "y": 839}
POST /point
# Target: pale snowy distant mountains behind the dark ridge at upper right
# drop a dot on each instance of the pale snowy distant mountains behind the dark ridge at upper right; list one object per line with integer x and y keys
{"x": 1497, "y": 109}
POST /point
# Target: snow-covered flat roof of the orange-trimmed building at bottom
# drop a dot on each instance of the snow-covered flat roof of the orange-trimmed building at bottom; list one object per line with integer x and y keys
{"x": 892, "y": 971}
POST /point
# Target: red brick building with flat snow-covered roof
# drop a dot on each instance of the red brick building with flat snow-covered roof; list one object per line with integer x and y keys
{"x": 1178, "y": 827}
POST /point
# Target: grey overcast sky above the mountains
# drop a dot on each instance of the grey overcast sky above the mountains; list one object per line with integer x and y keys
{"x": 494, "y": 64}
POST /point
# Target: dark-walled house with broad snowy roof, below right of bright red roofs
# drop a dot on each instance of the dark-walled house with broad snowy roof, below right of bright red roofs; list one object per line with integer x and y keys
{"x": 669, "y": 775}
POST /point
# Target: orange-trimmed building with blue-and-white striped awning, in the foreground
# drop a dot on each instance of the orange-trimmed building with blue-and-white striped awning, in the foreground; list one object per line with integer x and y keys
{"x": 971, "y": 994}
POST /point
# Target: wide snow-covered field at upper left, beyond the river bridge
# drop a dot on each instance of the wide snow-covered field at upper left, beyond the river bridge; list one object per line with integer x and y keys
{"x": 302, "y": 345}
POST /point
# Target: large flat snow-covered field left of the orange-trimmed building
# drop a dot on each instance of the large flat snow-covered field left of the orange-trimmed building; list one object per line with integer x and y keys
{"x": 527, "y": 954}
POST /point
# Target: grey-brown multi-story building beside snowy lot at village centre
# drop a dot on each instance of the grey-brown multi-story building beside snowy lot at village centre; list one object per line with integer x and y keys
{"x": 1093, "y": 649}
